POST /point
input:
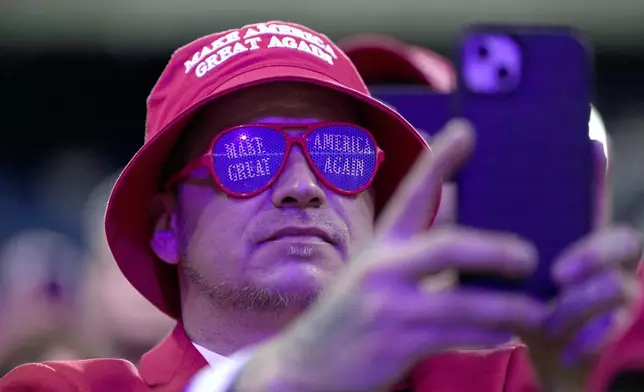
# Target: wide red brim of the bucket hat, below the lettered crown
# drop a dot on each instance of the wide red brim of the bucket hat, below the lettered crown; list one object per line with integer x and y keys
{"x": 128, "y": 221}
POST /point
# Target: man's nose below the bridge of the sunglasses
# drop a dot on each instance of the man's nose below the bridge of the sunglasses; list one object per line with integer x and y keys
{"x": 297, "y": 185}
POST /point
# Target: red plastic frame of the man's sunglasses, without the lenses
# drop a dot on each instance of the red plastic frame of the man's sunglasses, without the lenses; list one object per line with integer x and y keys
{"x": 207, "y": 159}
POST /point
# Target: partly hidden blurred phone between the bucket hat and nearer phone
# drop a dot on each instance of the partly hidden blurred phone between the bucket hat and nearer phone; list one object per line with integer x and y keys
{"x": 428, "y": 111}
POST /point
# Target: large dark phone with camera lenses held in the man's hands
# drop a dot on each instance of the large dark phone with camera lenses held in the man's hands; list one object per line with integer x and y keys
{"x": 527, "y": 91}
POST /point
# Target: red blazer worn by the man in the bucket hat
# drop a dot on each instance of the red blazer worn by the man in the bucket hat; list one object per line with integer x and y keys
{"x": 169, "y": 366}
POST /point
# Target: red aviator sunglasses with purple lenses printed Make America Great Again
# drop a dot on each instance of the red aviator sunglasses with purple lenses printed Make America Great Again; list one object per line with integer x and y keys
{"x": 247, "y": 159}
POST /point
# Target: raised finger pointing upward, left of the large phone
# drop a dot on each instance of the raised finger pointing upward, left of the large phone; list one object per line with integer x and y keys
{"x": 416, "y": 198}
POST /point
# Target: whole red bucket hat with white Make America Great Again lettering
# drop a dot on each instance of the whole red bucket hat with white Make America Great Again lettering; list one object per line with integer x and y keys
{"x": 205, "y": 70}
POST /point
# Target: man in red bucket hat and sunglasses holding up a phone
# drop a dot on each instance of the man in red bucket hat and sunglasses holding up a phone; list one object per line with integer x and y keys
{"x": 248, "y": 216}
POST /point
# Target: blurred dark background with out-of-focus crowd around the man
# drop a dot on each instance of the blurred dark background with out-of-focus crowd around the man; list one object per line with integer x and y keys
{"x": 74, "y": 76}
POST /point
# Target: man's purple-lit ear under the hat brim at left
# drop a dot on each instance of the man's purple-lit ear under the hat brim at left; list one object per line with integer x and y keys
{"x": 165, "y": 237}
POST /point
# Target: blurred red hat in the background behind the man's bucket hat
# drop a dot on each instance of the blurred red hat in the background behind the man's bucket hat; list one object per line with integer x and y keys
{"x": 384, "y": 60}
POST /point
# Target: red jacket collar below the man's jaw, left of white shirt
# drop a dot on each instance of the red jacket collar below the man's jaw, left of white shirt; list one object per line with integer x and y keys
{"x": 174, "y": 361}
